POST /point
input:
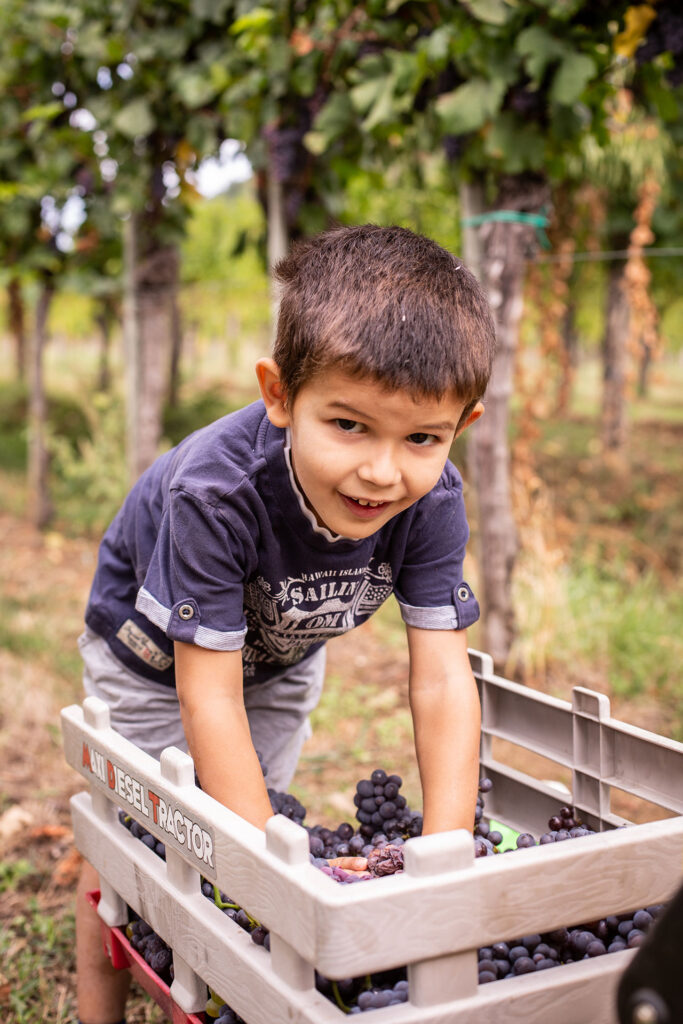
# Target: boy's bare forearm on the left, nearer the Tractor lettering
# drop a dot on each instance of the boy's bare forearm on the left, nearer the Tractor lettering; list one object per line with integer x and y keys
{"x": 215, "y": 719}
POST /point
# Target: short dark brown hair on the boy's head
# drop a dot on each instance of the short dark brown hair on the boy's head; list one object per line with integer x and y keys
{"x": 386, "y": 304}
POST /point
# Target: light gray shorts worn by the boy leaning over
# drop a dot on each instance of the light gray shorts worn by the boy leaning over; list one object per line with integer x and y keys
{"x": 149, "y": 714}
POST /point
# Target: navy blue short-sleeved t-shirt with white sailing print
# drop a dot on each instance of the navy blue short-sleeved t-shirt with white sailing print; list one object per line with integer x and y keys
{"x": 217, "y": 546}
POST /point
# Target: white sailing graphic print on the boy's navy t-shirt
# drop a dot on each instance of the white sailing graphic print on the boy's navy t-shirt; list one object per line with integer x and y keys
{"x": 309, "y": 610}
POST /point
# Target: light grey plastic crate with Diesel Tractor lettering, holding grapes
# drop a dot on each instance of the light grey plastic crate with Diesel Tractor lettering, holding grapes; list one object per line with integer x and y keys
{"x": 433, "y": 918}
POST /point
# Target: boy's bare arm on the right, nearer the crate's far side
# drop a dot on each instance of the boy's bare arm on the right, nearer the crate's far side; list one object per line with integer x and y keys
{"x": 447, "y": 719}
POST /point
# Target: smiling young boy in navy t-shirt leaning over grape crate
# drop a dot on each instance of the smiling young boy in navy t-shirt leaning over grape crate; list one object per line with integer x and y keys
{"x": 243, "y": 550}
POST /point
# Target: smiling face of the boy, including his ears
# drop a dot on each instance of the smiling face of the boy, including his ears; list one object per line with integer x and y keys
{"x": 362, "y": 454}
